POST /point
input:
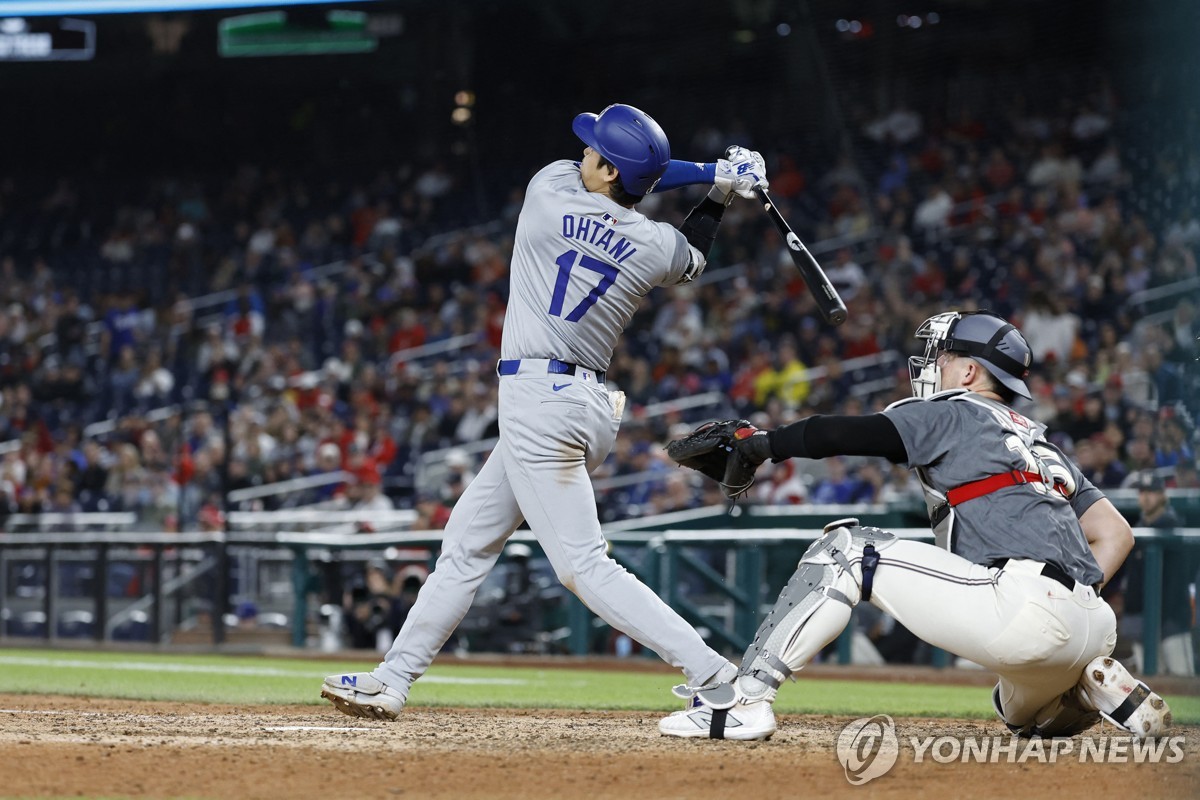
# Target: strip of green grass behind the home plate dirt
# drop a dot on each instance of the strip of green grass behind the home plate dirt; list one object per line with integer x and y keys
{"x": 244, "y": 681}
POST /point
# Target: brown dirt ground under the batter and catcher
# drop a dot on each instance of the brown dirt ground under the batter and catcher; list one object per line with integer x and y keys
{"x": 63, "y": 747}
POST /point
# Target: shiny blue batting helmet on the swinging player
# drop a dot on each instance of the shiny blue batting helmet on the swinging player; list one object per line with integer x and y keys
{"x": 632, "y": 141}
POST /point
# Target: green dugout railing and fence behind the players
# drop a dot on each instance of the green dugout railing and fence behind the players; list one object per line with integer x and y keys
{"x": 721, "y": 580}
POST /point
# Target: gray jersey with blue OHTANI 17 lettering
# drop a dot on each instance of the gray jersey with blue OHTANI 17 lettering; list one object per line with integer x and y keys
{"x": 581, "y": 264}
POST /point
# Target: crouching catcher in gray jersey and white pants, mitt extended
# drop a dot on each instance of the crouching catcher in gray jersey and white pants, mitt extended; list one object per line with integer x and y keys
{"x": 1024, "y": 545}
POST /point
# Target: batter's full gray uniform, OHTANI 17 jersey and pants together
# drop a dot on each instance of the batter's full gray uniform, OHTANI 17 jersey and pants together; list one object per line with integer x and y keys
{"x": 581, "y": 264}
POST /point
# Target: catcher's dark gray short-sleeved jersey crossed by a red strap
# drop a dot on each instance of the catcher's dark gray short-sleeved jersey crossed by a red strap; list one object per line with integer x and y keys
{"x": 958, "y": 437}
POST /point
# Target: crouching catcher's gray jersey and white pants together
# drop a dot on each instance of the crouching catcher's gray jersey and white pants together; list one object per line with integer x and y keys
{"x": 1035, "y": 631}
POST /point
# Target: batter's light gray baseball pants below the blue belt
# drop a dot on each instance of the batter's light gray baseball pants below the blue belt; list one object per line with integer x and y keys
{"x": 551, "y": 440}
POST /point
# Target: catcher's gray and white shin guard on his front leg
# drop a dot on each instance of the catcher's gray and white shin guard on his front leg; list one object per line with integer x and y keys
{"x": 815, "y": 605}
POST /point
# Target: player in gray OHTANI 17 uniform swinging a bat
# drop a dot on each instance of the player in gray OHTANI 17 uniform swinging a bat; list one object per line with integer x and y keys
{"x": 583, "y": 261}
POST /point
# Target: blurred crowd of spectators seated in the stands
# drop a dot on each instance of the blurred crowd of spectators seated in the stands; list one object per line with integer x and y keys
{"x": 181, "y": 339}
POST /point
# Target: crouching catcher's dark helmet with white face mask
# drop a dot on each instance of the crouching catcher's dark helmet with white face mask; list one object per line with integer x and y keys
{"x": 983, "y": 336}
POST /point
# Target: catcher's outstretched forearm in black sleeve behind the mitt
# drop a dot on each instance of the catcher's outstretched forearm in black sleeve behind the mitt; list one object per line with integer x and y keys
{"x": 821, "y": 437}
